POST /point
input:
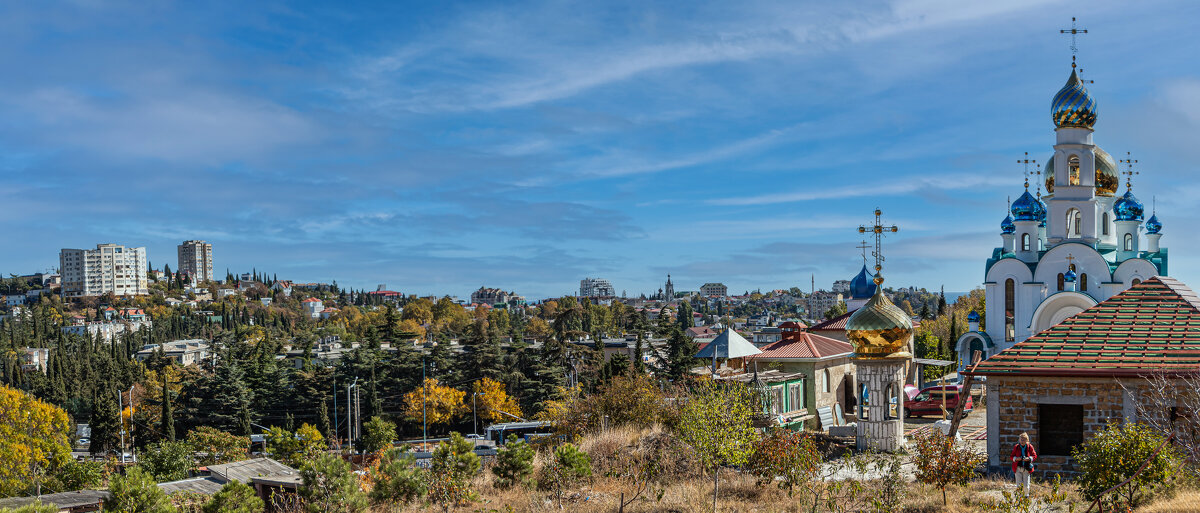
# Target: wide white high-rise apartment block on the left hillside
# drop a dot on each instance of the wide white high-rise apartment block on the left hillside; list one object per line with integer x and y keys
{"x": 109, "y": 269}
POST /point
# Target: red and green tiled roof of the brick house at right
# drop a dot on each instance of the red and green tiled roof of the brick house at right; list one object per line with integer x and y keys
{"x": 1151, "y": 328}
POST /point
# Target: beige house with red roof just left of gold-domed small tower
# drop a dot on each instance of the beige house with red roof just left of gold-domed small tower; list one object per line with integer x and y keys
{"x": 824, "y": 360}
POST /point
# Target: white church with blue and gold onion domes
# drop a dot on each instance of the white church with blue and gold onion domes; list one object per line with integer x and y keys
{"x": 1066, "y": 251}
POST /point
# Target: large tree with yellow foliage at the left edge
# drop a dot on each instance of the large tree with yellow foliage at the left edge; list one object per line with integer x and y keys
{"x": 34, "y": 442}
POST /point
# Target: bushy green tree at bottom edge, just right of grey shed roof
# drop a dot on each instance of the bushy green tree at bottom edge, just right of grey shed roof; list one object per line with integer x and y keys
{"x": 329, "y": 486}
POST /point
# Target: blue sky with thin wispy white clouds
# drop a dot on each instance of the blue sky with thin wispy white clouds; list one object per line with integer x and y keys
{"x": 442, "y": 147}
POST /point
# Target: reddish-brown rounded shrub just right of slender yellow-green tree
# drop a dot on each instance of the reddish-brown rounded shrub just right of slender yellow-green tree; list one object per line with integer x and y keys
{"x": 788, "y": 455}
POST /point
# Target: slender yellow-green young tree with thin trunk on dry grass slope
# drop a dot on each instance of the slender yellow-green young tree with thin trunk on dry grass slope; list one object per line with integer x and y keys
{"x": 718, "y": 424}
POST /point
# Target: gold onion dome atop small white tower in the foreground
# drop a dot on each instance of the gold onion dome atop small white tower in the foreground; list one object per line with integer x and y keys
{"x": 879, "y": 329}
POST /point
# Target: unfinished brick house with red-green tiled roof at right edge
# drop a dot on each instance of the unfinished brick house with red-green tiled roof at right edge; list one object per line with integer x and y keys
{"x": 1067, "y": 383}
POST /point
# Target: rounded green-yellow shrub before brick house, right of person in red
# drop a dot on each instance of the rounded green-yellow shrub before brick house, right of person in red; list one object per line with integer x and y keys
{"x": 1114, "y": 455}
